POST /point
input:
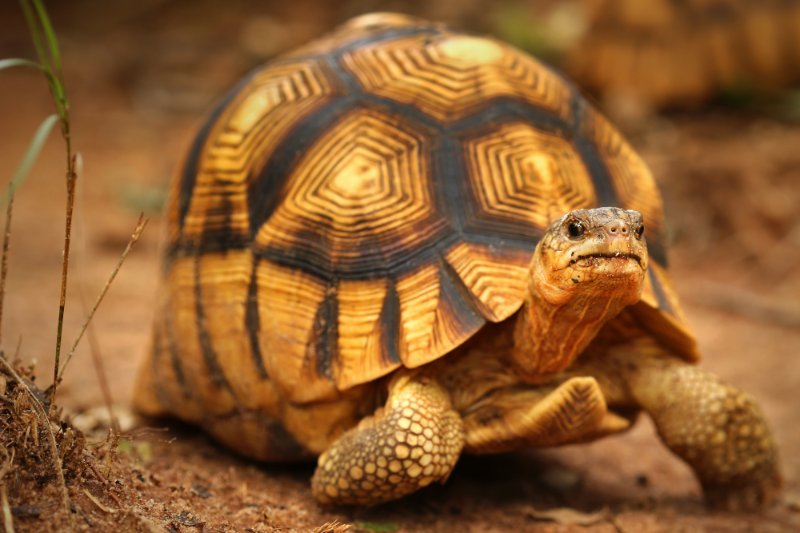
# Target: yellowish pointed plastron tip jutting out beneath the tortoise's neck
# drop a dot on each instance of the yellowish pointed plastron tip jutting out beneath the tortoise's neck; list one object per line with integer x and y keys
{"x": 518, "y": 417}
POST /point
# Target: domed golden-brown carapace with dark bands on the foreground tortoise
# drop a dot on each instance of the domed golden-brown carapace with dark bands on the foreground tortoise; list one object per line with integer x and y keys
{"x": 370, "y": 201}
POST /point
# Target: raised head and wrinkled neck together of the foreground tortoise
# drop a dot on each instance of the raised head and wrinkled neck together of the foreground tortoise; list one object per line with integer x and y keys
{"x": 589, "y": 265}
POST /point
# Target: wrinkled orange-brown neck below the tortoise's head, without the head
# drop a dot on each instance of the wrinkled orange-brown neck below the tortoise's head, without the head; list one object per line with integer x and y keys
{"x": 553, "y": 328}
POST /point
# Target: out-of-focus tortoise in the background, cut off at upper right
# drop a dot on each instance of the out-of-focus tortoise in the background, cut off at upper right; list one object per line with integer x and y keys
{"x": 666, "y": 53}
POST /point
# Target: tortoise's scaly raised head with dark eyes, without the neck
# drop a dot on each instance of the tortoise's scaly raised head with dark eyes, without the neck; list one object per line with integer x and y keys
{"x": 592, "y": 253}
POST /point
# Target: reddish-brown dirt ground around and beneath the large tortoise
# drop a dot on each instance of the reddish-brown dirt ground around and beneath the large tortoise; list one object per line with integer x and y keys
{"x": 139, "y": 85}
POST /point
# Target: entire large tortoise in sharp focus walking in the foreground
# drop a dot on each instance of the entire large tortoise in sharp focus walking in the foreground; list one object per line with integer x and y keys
{"x": 400, "y": 243}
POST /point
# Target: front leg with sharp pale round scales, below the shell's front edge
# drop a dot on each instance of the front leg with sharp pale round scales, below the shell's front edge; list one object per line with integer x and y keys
{"x": 414, "y": 440}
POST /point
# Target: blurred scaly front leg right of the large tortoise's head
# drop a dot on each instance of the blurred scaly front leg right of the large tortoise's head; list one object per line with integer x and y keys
{"x": 717, "y": 429}
